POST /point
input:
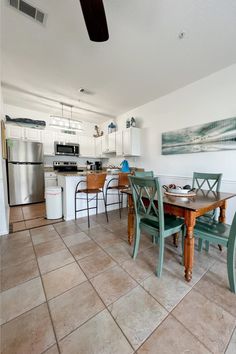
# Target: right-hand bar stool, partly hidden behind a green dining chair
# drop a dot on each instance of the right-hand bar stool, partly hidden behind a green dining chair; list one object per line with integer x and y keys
{"x": 122, "y": 183}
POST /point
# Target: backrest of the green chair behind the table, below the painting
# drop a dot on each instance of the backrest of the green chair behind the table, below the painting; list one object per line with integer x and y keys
{"x": 209, "y": 181}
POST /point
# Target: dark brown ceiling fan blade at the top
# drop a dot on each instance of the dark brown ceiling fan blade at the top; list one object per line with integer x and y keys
{"x": 95, "y": 19}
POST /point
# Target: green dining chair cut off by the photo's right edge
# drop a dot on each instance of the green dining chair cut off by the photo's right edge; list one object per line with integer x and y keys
{"x": 221, "y": 234}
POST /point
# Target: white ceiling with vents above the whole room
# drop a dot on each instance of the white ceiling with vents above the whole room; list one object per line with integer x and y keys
{"x": 143, "y": 59}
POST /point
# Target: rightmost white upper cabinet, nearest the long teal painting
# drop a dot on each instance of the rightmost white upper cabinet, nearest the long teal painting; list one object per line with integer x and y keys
{"x": 131, "y": 142}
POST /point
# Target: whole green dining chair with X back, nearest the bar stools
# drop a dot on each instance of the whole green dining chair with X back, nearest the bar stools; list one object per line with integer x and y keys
{"x": 146, "y": 196}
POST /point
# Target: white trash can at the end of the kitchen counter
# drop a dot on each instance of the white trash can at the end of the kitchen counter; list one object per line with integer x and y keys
{"x": 53, "y": 202}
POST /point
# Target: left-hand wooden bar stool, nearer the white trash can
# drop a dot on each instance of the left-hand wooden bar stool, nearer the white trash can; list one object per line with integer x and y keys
{"x": 94, "y": 186}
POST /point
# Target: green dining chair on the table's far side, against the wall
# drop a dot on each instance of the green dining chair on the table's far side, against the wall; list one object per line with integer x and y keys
{"x": 210, "y": 182}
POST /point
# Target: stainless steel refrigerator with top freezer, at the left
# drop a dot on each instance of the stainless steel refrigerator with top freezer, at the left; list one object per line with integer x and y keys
{"x": 25, "y": 172}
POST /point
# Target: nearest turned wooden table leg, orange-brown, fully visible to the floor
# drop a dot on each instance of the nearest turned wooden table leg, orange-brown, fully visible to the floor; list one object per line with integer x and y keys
{"x": 189, "y": 244}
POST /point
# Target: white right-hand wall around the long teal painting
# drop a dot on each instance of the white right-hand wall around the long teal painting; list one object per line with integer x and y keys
{"x": 212, "y": 98}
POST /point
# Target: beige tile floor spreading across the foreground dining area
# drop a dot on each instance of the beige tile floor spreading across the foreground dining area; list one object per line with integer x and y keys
{"x": 67, "y": 289}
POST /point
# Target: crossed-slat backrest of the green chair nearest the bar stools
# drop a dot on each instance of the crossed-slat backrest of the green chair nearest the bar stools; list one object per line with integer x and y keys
{"x": 146, "y": 196}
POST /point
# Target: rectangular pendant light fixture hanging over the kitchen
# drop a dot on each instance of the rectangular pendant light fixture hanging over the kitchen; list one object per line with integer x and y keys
{"x": 61, "y": 122}
